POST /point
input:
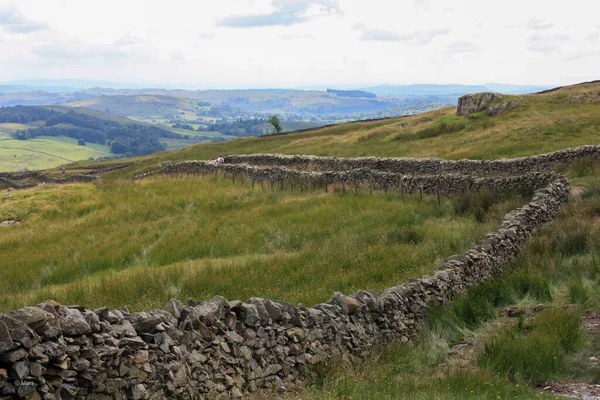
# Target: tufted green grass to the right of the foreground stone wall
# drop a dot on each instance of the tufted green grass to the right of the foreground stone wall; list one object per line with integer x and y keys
{"x": 509, "y": 357}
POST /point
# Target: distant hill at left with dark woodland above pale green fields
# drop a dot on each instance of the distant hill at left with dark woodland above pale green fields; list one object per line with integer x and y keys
{"x": 42, "y": 137}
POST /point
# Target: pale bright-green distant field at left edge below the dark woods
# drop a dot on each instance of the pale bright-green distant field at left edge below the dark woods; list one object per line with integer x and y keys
{"x": 45, "y": 152}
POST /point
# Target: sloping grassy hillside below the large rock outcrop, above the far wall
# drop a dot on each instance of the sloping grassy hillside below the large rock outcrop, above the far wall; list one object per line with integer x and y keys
{"x": 542, "y": 123}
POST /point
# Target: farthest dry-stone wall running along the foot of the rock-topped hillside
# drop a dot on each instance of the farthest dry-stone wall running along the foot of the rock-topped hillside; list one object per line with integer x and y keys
{"x": 414, "y": 166}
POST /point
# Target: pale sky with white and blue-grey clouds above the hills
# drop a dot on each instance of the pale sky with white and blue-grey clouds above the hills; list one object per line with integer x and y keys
{"x": 225, "y": 44}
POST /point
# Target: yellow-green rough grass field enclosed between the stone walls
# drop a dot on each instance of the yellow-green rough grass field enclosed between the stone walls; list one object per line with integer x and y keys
{"x": 141, "y": 243}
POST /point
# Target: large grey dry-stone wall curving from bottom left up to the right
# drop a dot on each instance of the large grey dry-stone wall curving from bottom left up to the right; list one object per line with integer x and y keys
{"x": 218, "y": 347}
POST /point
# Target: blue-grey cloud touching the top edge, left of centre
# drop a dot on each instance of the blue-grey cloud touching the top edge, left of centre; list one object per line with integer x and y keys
{"x": 287, "y": 12}
